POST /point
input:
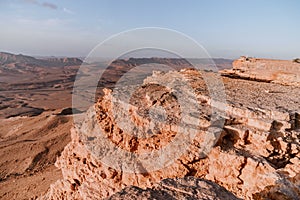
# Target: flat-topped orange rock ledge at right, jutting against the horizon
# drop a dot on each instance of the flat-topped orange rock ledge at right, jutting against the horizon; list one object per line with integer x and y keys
{"x": 278, "y": 71}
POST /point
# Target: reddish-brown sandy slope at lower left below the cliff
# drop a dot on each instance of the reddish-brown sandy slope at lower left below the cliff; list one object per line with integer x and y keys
{"x": 29, "y": 147}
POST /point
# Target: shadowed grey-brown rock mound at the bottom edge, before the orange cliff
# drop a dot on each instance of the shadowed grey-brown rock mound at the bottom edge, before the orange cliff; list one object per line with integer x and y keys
{"x": 185, "y": 188}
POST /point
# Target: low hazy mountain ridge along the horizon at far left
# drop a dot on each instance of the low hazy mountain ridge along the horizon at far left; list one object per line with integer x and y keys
{"x": 8, "y": 58}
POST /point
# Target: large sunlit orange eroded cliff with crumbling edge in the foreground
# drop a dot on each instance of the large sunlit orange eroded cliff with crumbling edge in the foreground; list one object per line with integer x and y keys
{"x": 253, "y": 153}
